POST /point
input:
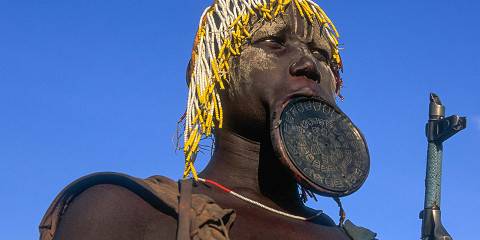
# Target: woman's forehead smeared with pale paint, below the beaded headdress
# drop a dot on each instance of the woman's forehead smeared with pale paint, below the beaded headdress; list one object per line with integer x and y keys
{"x": 292, "y": 23}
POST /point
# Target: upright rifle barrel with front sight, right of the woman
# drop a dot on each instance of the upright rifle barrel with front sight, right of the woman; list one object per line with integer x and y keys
{"x": 438, "y": 130}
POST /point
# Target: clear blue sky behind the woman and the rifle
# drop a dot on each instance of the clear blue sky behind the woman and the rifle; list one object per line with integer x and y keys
{"x": 88, "y": 86}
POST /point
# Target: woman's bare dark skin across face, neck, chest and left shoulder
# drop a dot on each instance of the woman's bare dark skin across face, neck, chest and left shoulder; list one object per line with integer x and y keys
{"x": 294, "y": 62}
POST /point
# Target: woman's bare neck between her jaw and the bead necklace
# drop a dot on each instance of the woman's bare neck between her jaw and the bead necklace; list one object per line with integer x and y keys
{"x": 251, "y": 169}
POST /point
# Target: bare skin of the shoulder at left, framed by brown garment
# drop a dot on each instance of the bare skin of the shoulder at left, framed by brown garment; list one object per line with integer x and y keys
{"x": 108, "y": 211}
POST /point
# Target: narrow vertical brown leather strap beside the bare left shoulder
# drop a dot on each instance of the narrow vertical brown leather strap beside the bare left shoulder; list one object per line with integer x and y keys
{"x": 183, "y": 229}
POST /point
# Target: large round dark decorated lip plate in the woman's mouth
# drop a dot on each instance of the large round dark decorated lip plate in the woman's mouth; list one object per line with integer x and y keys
{"x": 325, "y": 151}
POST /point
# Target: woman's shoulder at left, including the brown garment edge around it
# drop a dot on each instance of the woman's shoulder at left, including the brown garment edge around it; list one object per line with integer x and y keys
{"x": 113, "y": 206}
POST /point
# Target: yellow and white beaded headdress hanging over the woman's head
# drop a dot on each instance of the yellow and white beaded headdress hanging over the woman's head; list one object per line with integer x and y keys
{"x": 223, "y": 29}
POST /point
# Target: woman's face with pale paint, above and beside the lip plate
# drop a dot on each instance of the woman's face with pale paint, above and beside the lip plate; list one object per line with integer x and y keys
{"x": 286, "y": 57}
